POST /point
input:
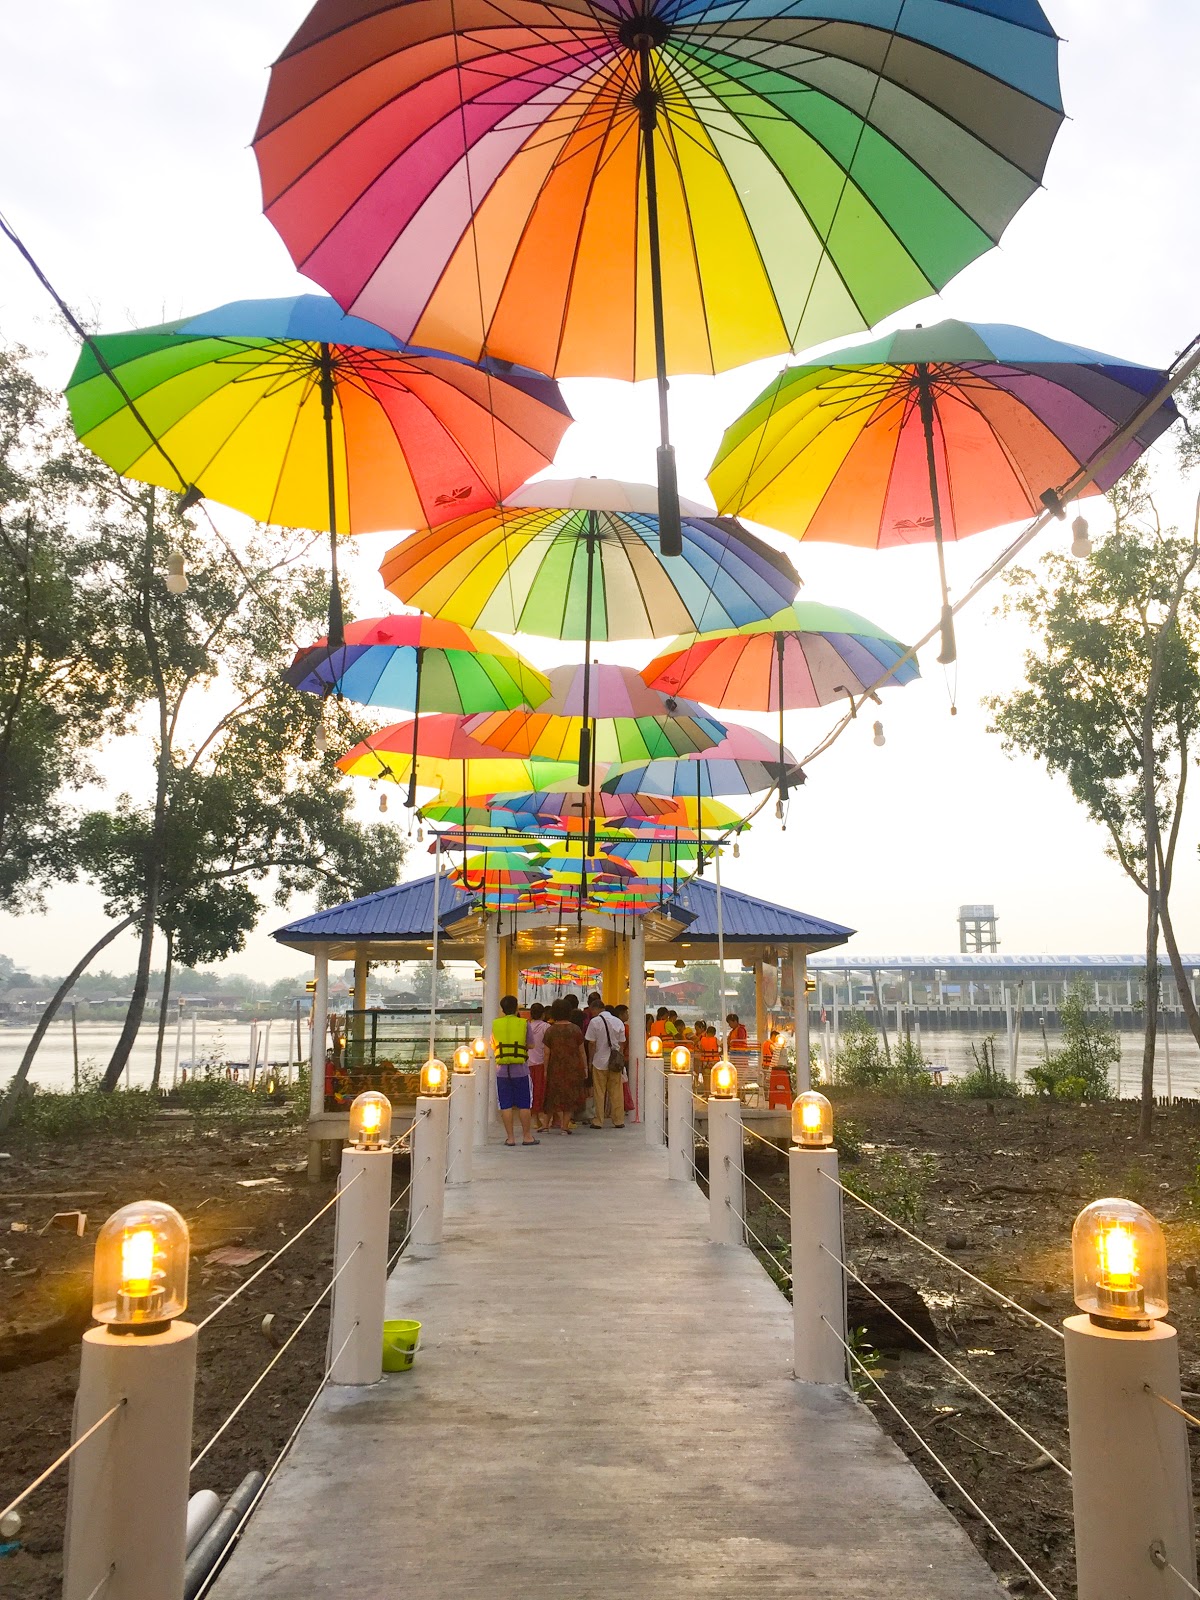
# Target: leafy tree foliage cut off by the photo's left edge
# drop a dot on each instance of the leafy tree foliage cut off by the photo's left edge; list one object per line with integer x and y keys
{"x": 63, "y": 678}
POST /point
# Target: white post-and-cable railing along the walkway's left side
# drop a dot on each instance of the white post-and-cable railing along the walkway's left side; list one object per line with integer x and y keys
{"x": 148, "y": 1442}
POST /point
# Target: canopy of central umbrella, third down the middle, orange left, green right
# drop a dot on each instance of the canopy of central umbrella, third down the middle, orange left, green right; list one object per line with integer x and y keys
{"x": 631, "y": 722}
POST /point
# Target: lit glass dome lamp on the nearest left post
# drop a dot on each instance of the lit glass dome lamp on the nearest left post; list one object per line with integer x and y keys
{"x": 140, "y": 1279}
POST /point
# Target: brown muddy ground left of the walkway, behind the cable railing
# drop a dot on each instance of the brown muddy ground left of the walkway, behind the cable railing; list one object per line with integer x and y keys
{"x": 212, "y": 1174}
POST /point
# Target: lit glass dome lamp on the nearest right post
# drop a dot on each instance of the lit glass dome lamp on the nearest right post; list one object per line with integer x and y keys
{"x": 1119, "y": 1258}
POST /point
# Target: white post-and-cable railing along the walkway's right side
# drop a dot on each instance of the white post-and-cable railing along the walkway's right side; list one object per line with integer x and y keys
{"x": 817, "y": 1276}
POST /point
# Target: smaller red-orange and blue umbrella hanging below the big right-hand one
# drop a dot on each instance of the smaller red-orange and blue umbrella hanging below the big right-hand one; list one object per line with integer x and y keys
{"x": 806, "y": 655}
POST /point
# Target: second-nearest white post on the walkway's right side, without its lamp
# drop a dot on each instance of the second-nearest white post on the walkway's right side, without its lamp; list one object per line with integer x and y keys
{"x": 818, "y": 1282}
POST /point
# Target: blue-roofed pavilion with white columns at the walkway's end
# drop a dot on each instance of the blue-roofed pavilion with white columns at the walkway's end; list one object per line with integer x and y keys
{"x": 398, "y": 926}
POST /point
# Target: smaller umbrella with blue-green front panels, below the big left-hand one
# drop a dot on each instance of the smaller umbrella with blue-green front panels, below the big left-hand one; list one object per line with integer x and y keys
{"x": 420, "y": 663}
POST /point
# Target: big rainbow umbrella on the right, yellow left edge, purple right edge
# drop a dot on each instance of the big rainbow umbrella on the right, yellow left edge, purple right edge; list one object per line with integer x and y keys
{"x": 930, "y": 434}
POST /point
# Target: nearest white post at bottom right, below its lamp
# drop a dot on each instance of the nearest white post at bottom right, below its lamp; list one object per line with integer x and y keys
{"x": 1129, "y": 1458}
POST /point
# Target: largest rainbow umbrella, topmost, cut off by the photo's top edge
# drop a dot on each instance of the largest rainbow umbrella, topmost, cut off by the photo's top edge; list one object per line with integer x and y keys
{"x": 633, "y": 191}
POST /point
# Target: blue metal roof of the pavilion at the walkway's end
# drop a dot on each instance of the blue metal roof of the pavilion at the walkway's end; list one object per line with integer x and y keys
{"x": 407, "y": 913}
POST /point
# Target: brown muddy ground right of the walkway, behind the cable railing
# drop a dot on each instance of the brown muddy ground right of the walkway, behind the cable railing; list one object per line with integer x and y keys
{"x": 996, "y": 1186}
